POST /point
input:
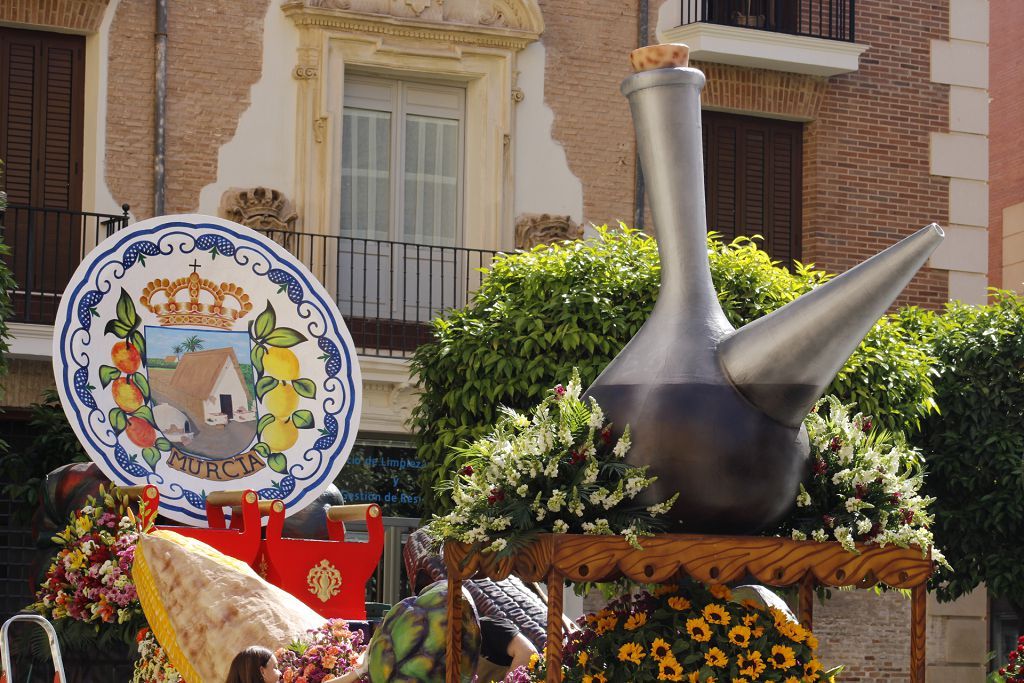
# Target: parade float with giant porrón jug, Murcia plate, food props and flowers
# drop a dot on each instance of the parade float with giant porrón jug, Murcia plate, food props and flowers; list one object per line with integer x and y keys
{"x": 211, "y": 378}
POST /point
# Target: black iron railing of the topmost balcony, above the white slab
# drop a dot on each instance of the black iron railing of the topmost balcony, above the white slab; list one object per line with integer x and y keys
{"x": 832, "y": 20}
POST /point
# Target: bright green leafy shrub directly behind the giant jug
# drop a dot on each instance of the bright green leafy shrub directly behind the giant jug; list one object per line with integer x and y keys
{"x": 542, "y": 313}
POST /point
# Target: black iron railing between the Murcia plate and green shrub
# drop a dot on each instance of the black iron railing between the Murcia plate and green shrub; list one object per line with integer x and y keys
{"x": 389, "y": 292}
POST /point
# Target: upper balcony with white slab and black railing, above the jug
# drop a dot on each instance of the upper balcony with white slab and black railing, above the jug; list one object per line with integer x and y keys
{"x": 815, "y": 37}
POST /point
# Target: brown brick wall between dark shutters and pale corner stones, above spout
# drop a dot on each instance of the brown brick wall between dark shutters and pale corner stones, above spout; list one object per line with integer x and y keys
{"x": 867, "y": 176}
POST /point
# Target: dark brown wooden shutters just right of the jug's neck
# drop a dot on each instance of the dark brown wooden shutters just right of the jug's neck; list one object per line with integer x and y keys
{"x": 753, "y": 181}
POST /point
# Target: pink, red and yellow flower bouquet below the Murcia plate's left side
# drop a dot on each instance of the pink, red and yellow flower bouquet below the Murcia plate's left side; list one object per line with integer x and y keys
{"x": 90, "y": 582}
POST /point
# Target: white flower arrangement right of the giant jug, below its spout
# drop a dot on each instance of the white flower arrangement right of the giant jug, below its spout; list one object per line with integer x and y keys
{"x": 865, "y": 487}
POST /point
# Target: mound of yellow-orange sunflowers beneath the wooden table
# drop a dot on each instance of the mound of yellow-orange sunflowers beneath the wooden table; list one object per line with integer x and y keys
{"x": 687, "y": 632}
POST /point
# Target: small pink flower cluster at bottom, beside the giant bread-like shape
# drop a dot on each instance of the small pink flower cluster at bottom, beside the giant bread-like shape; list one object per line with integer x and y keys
{"x": 321, "y": 654}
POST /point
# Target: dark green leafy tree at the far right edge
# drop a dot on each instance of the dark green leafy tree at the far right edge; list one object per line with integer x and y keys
{"x": 975, "y": 447}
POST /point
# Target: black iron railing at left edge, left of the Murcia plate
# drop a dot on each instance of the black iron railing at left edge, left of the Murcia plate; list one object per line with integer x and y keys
{"x": 46, "y": 247}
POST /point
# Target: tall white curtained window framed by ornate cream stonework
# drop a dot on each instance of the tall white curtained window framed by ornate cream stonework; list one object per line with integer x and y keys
{"x": 402, "y": 198}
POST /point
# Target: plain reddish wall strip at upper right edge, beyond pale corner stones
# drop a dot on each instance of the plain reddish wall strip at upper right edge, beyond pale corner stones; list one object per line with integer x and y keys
{"x": 1006, "y": 161}
